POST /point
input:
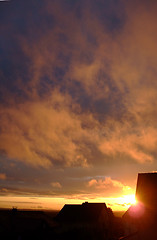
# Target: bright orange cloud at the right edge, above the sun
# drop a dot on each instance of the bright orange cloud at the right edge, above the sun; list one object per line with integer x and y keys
{"x": 133, "y": 145}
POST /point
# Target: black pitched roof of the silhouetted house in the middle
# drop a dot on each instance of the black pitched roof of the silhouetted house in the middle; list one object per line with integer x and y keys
{"x": 87, "y": 212}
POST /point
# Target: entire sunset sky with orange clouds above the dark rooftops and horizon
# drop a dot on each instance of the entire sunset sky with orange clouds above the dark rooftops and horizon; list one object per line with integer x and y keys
{"x": 78, "y": 100}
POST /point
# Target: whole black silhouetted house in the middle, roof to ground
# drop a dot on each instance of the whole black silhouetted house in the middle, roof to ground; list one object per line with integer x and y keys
{"x": 85, "y": 221}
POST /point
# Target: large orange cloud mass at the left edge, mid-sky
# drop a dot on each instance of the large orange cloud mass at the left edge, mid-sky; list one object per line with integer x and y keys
{"x": 43, "y": 133}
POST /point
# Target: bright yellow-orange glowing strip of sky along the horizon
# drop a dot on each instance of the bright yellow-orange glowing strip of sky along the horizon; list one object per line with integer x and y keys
{"x": 24, "y": 202}
